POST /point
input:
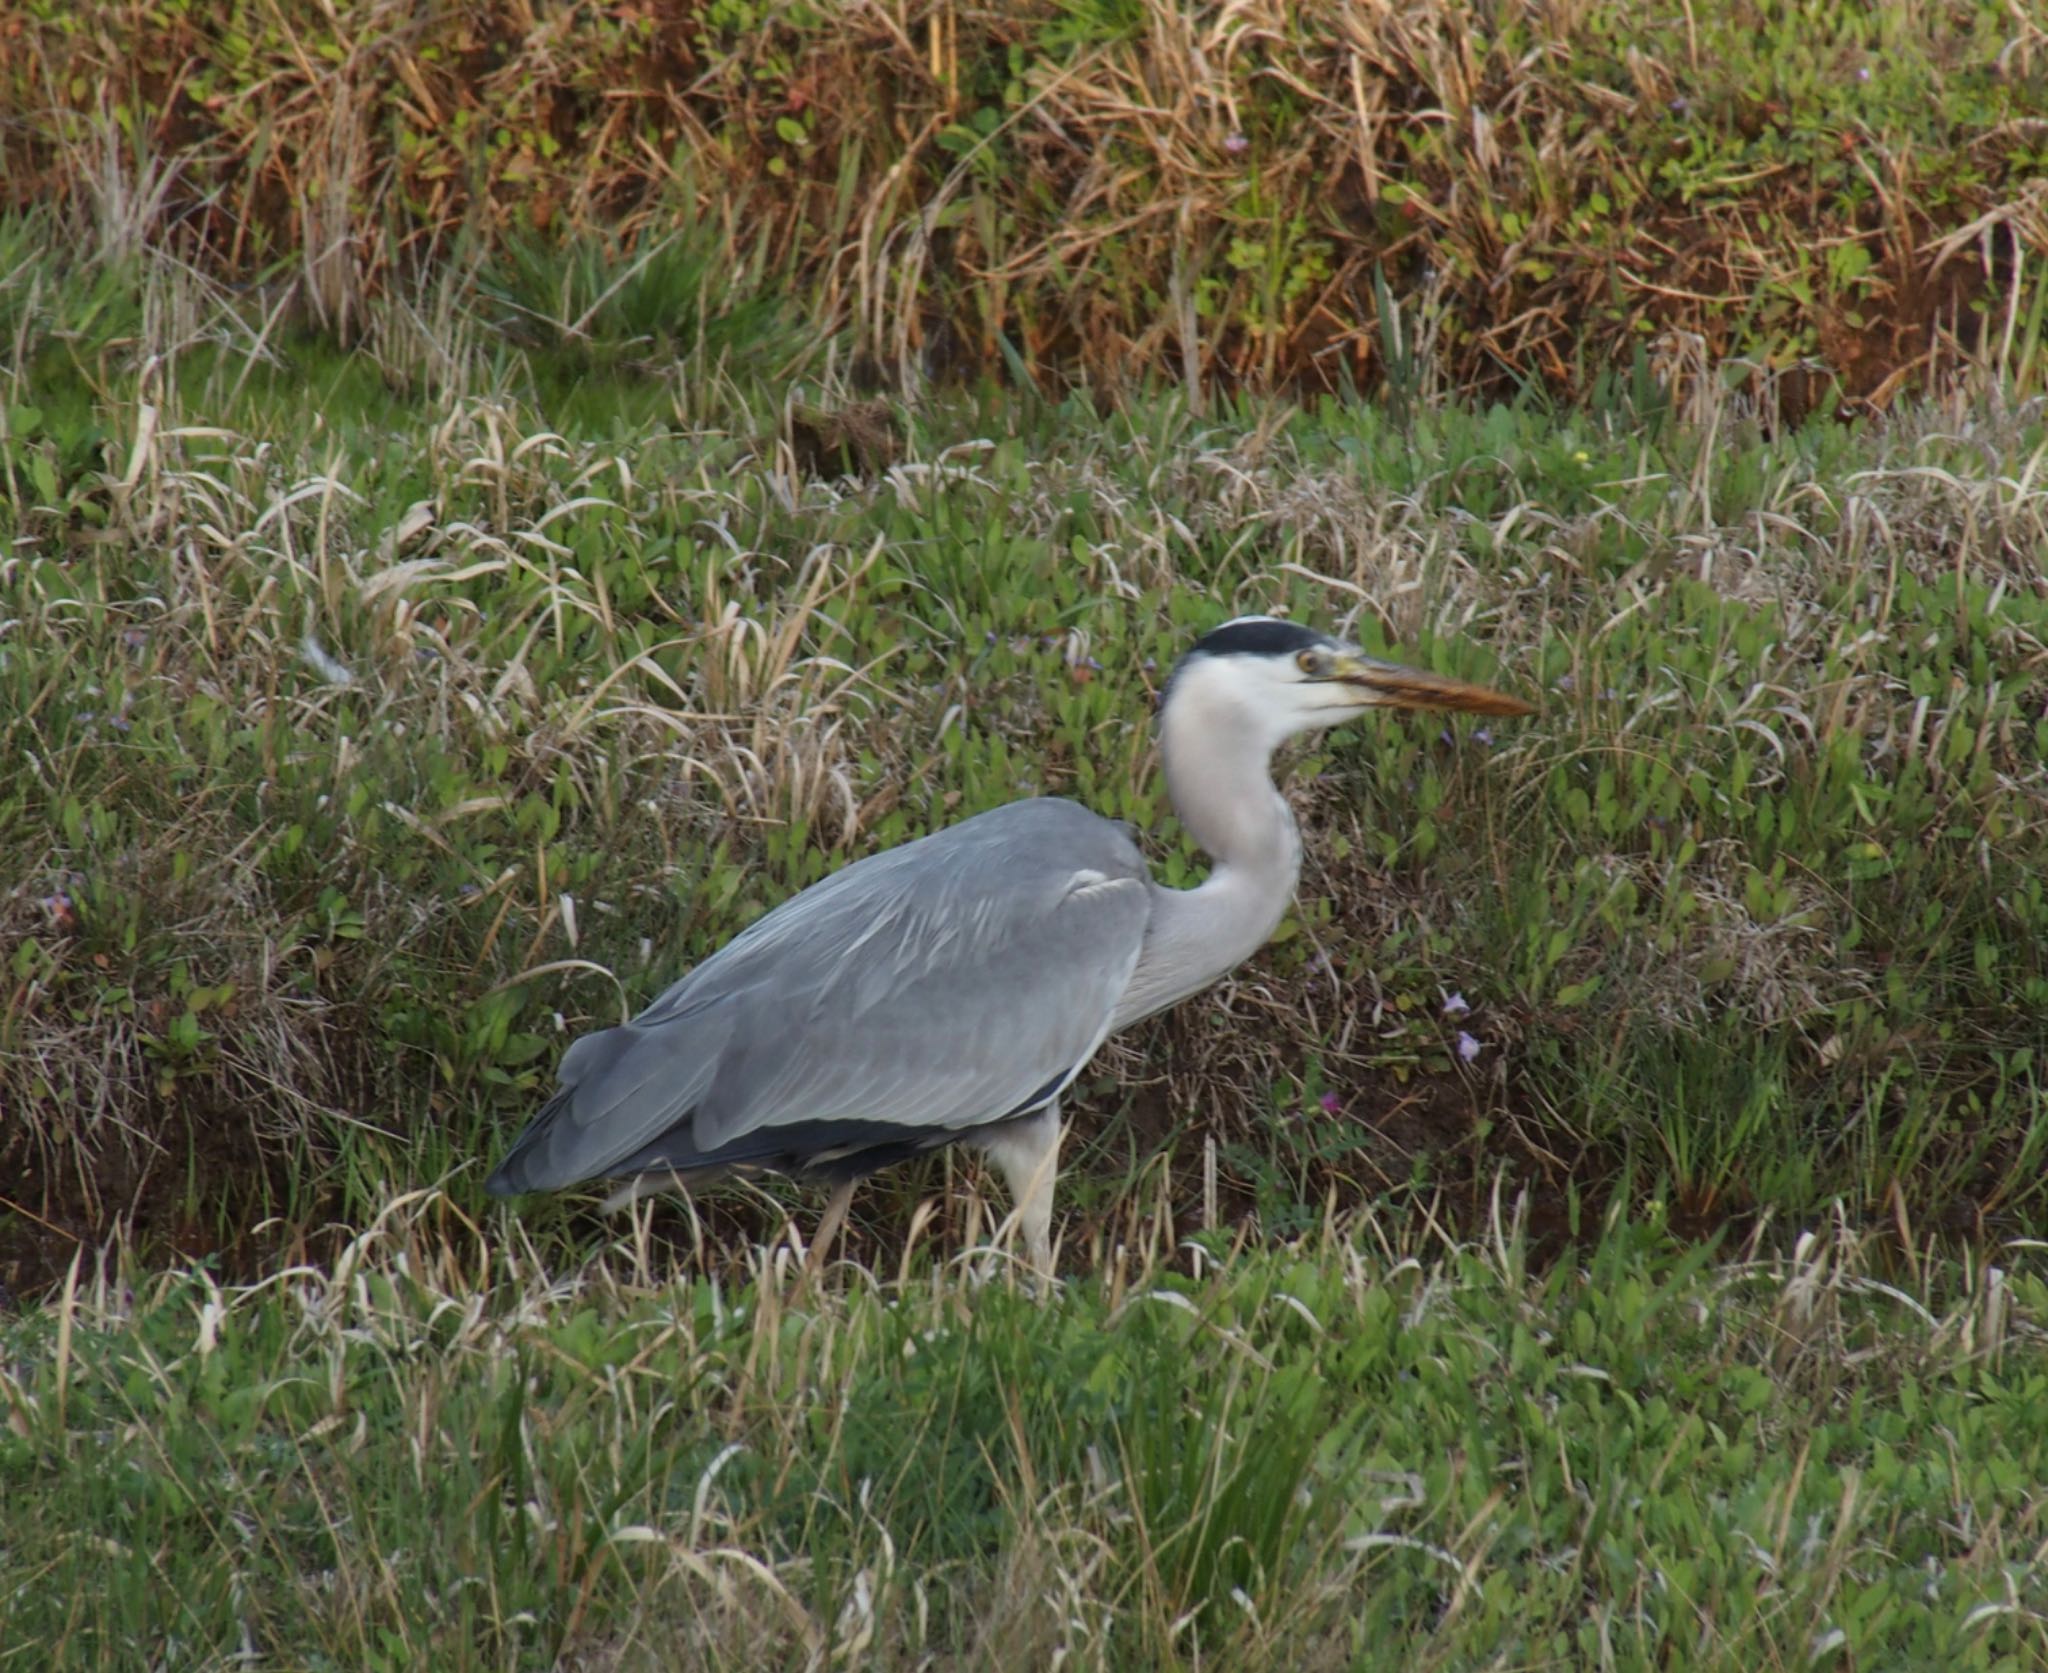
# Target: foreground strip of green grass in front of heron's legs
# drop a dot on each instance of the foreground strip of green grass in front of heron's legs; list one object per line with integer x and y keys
{"x": 1365, "y": 1451}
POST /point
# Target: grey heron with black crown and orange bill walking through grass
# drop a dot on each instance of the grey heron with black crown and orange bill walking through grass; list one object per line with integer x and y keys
{"x": 951, "y": 990}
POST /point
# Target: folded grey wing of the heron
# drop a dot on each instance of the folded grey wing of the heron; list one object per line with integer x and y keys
{"x": 943, "y": 986}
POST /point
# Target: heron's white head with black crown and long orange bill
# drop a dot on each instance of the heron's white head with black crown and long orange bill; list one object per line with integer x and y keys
{"x": 1285, "y": 679}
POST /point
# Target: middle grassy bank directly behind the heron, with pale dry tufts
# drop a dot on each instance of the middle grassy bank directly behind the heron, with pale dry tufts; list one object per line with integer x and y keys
{"x": 380, "y": 720}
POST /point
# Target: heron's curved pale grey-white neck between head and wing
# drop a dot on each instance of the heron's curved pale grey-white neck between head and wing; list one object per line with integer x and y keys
{"x": 1220, "y": 777}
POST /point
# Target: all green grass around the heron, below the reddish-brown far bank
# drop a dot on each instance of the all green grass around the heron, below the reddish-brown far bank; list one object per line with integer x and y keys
{"x": 376, "y": 720}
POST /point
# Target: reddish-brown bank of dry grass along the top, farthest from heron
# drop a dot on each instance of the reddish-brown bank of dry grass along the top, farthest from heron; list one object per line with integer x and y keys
{"x": 1838, "y": 198}
